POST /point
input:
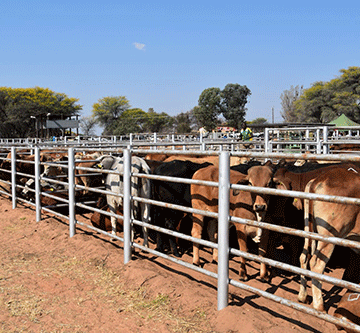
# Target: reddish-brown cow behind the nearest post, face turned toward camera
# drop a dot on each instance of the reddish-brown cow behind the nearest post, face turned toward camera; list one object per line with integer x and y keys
{"x": 242, "y": 204}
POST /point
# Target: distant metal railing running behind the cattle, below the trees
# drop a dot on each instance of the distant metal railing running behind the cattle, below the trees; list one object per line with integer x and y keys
{"x": 289, "y": 139}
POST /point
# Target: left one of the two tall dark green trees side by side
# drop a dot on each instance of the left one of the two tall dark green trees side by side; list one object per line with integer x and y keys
{"x": 209, "y": 108}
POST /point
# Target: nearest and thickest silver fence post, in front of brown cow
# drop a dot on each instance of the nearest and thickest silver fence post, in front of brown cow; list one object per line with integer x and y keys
{"x": 223, "y": 230}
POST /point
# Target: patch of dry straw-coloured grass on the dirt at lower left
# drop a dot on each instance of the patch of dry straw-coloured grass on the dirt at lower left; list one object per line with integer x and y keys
{"x": 107, "y": 285}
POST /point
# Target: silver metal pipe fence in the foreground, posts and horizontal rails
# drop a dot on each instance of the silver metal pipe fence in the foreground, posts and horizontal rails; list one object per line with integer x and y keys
{"x": 71, "y": 200}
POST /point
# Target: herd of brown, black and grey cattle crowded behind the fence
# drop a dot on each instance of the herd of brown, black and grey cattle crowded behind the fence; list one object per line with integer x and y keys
{"x": 324, "y": 218}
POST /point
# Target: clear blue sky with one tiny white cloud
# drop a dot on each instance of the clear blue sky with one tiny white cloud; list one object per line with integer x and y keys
{"x": 163, "y": 54}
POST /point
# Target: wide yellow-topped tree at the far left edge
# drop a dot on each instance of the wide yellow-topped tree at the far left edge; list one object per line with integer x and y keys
{"x": 22, "y": 110}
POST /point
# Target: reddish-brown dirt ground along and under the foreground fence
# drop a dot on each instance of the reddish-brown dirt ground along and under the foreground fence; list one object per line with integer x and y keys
{"x": 52, "y": 283}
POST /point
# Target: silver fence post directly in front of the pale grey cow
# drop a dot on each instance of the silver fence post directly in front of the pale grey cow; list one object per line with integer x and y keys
{"x": 126, "y": 204}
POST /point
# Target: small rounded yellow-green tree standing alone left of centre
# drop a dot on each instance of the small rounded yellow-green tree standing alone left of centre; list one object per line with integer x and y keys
{"x": 108, "y": 110}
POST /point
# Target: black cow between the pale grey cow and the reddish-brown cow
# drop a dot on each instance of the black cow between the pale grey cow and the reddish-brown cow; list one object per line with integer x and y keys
{"x": 173, "y": 193}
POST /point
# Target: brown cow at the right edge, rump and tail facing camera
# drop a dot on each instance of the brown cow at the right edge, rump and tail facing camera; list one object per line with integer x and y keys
{"x": 330, "y": 220}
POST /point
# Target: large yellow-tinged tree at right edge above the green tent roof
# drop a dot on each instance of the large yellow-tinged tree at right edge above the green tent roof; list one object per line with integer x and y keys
{"x": 325, "y": 101}
